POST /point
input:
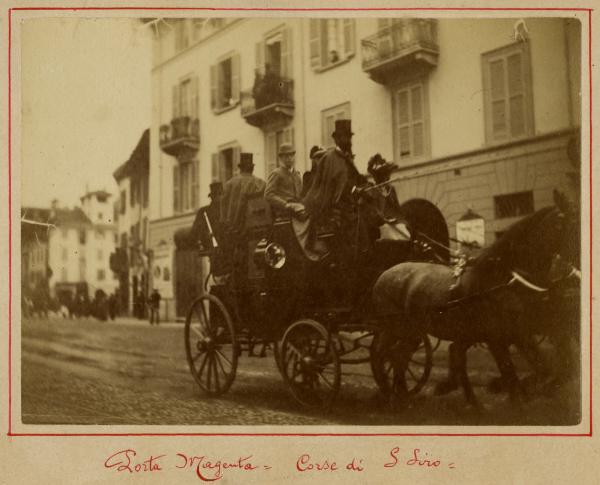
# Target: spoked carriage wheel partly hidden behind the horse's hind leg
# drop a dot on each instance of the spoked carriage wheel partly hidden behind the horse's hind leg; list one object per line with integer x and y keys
{"x": 416, "y": 372}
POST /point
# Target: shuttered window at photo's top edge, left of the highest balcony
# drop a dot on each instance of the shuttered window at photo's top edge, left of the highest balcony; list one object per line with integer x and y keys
{"x": 332, "y": 41}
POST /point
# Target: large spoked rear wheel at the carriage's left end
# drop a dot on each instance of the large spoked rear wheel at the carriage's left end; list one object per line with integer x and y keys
{"x": 210, "y": 345}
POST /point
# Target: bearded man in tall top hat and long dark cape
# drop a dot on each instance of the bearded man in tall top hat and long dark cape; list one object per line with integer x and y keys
{"x": 329, "y": 201}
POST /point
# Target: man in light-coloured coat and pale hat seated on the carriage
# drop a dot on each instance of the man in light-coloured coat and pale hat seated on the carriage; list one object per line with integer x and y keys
{"x": 284, "y": 186}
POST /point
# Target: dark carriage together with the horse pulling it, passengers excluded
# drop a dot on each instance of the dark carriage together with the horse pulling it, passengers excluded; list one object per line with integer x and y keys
{"x": 320, "y": 315}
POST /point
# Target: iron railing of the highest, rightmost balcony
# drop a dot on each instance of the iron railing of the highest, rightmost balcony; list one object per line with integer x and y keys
{"x": 403, "y": 38}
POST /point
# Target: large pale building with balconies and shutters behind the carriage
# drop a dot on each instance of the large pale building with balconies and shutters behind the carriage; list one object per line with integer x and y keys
{"x": 480, "y": 115}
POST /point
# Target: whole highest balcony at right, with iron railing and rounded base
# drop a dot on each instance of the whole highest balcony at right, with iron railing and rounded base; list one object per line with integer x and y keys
{"x": 406, "y": 44}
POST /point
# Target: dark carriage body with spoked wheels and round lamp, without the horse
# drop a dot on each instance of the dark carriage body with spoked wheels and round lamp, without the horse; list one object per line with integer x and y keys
{"x": 315, "y": 315}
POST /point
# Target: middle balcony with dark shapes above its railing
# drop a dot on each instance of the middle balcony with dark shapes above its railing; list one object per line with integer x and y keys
{"x": 269, "y": 103}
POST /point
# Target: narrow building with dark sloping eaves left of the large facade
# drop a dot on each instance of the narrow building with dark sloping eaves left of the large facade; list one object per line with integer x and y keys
{"x": 130, "y": 261}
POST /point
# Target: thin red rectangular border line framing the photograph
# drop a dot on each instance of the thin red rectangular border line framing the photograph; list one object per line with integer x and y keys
{"x": 331, "y": 9}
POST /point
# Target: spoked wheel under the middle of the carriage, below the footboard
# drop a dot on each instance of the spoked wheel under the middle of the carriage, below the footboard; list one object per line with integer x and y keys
{"x": 310, "y": 364}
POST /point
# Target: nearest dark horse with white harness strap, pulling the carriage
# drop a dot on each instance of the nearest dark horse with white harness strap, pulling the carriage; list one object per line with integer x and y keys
{"x": 489, "y": 301}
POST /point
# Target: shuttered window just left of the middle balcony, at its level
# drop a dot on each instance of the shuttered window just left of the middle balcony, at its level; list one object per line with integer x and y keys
{"x": 225, "y": 83}
